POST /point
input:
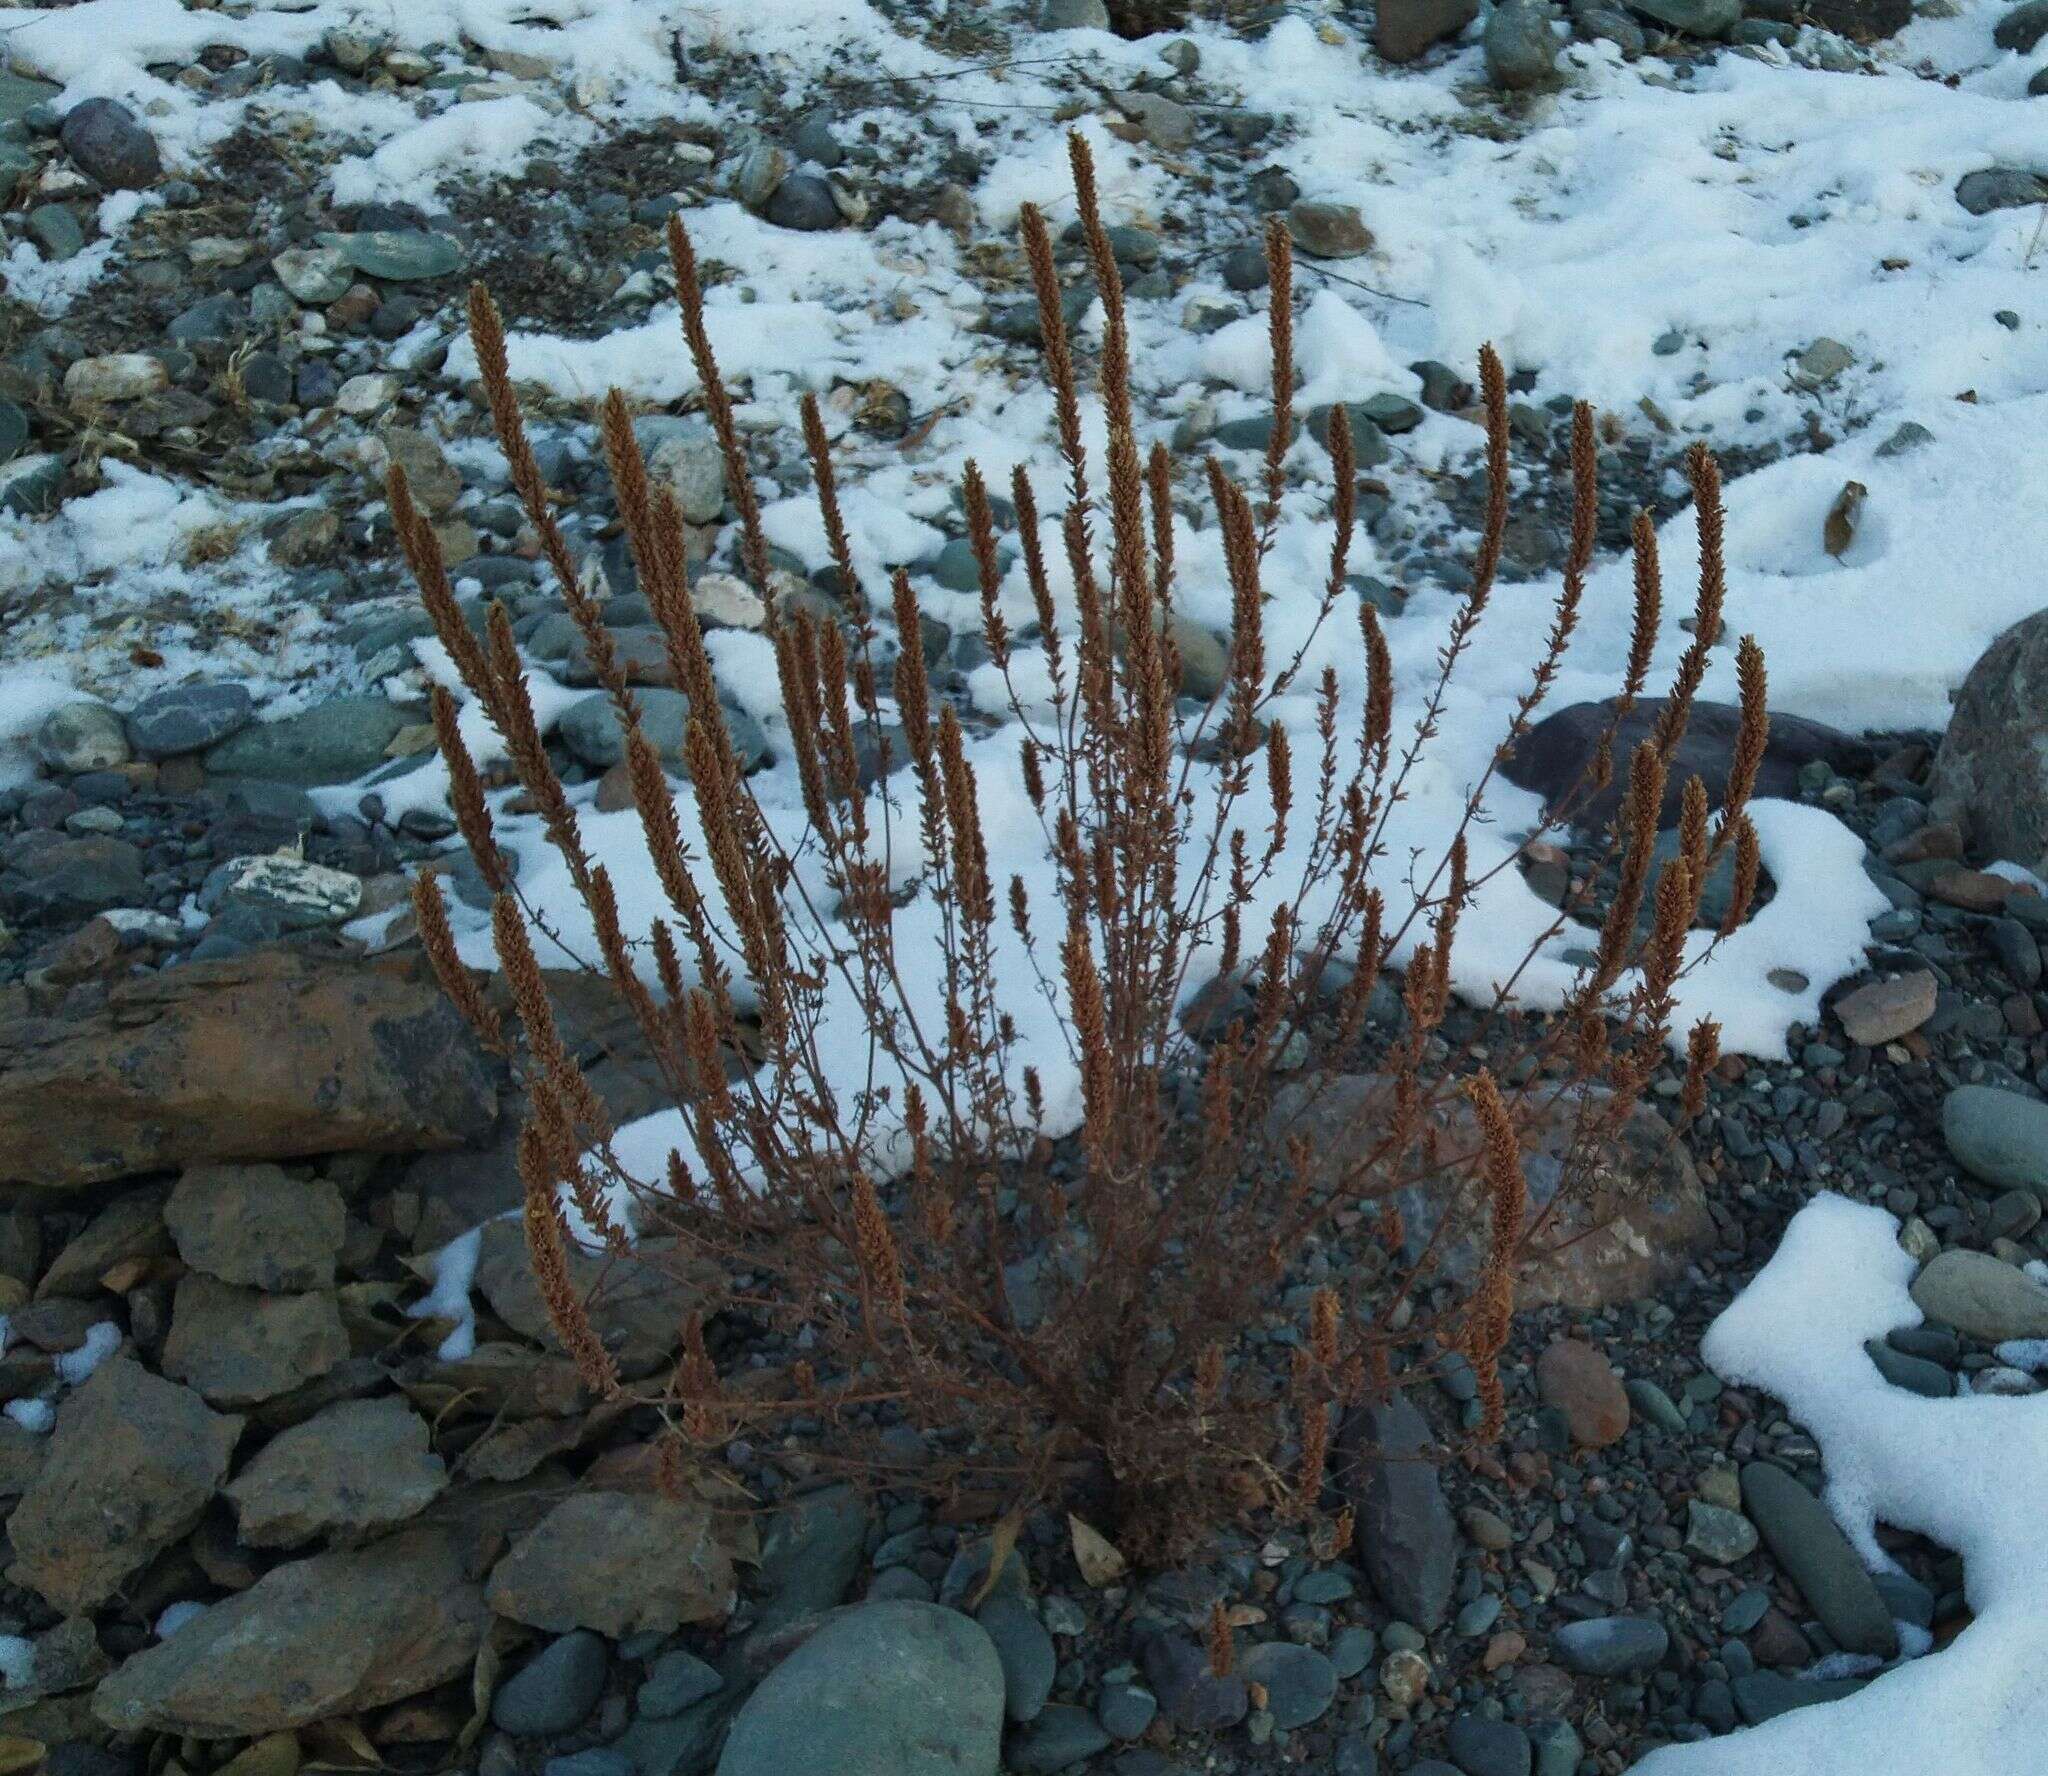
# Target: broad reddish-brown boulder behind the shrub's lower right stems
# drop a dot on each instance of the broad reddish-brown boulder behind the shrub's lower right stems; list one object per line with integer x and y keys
{"x": 1629, "y": 1228}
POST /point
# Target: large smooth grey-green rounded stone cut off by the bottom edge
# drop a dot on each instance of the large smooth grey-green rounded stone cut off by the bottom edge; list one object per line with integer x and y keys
{"x": 882, "y": 1691}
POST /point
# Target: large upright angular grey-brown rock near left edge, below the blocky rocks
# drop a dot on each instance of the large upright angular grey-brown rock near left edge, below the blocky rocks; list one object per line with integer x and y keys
{"x": 132, "y": 1466}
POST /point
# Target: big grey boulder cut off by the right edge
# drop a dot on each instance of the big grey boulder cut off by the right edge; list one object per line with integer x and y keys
{"x": 1994, "y": 761}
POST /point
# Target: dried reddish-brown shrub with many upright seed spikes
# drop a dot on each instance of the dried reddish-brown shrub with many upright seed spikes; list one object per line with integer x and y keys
{"x": 1091, "y": 1314}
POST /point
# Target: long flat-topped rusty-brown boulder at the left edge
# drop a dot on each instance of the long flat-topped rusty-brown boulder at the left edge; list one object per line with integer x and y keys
{"x": 269, "y": 1056}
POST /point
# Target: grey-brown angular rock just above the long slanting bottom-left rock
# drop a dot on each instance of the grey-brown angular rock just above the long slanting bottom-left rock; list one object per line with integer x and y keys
{"x": 349, "y": 1472}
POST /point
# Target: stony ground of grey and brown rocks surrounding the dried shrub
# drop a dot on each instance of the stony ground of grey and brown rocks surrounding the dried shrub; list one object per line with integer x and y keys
{"x": 267, "y": 1513}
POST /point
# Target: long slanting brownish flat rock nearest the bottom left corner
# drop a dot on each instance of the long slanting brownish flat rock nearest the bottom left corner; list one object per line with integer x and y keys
{"x": 331, "y": 1636}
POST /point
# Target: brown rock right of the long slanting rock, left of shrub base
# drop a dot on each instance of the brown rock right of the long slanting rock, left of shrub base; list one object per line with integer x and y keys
{"x": 615, "y": 1564}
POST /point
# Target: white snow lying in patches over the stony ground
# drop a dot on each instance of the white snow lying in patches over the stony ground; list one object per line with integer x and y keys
{"x": 1662, "y": 239}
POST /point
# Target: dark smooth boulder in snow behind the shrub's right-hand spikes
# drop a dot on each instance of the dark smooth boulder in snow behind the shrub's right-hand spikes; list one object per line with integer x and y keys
{"x": 1553, "y": 755}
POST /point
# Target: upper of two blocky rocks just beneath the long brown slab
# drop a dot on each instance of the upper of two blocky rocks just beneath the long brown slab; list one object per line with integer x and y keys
{"x": 257, "y": 1226}
